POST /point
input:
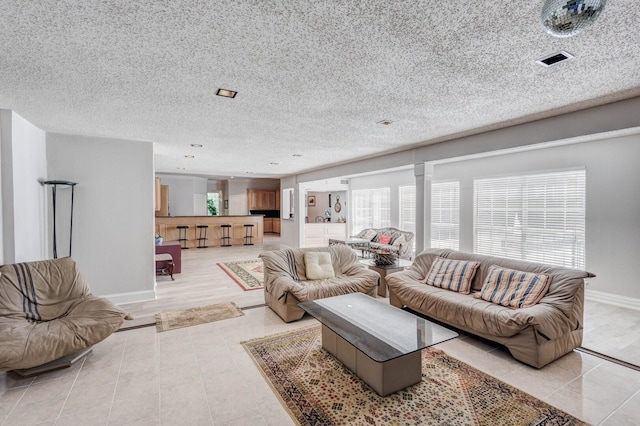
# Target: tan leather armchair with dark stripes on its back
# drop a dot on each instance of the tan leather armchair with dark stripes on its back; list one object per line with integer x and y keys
{"x": 47, "y": 311}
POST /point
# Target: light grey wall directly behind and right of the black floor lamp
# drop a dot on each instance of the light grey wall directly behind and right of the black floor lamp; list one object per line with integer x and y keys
{"x": 114, "y": 211}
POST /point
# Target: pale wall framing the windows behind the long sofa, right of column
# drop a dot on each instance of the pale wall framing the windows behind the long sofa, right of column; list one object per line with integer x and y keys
{"x": 613, "y": 203}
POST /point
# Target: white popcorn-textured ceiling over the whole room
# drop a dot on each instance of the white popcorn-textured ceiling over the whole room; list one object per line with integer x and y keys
{"x": 313, "y": 78}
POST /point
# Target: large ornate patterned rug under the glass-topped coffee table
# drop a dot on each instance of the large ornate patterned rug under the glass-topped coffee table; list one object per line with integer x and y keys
{"x": 317, "y": 389}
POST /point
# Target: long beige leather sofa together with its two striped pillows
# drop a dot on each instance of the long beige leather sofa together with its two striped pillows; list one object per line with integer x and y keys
{"x": 542, "y": 330}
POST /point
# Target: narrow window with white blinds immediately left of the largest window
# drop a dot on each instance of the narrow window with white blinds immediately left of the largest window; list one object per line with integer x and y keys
{"x": 445, "y": 215}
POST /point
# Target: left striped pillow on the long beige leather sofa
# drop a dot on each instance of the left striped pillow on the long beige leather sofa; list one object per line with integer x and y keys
{"x": 452, "y": 274}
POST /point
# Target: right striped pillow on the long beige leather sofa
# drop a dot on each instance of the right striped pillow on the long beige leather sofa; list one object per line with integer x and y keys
{"x": 512, "y": 288}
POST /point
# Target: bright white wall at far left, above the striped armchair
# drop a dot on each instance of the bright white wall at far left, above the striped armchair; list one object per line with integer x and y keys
{"x": 24, "y": 198}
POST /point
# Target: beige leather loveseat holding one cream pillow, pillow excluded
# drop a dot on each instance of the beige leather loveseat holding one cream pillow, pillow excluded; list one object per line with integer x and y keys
{"x": 286, "y": 283}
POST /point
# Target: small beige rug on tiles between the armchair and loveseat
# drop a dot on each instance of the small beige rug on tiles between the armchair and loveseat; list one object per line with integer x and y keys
{"x": 166, "y": 321}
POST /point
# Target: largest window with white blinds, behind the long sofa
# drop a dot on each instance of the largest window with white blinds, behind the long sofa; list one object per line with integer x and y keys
{"x": 540, "y": 218}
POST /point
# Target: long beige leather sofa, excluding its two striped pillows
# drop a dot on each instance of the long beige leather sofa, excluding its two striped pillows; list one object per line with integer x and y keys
{"x": 535, "y": 335}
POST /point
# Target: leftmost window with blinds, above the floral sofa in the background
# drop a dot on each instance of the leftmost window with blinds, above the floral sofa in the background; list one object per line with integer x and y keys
{"x": 371, "y": 209}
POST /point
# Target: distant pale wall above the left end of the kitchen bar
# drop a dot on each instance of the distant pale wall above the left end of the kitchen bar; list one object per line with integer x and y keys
{"x": 183, "y": 190}
